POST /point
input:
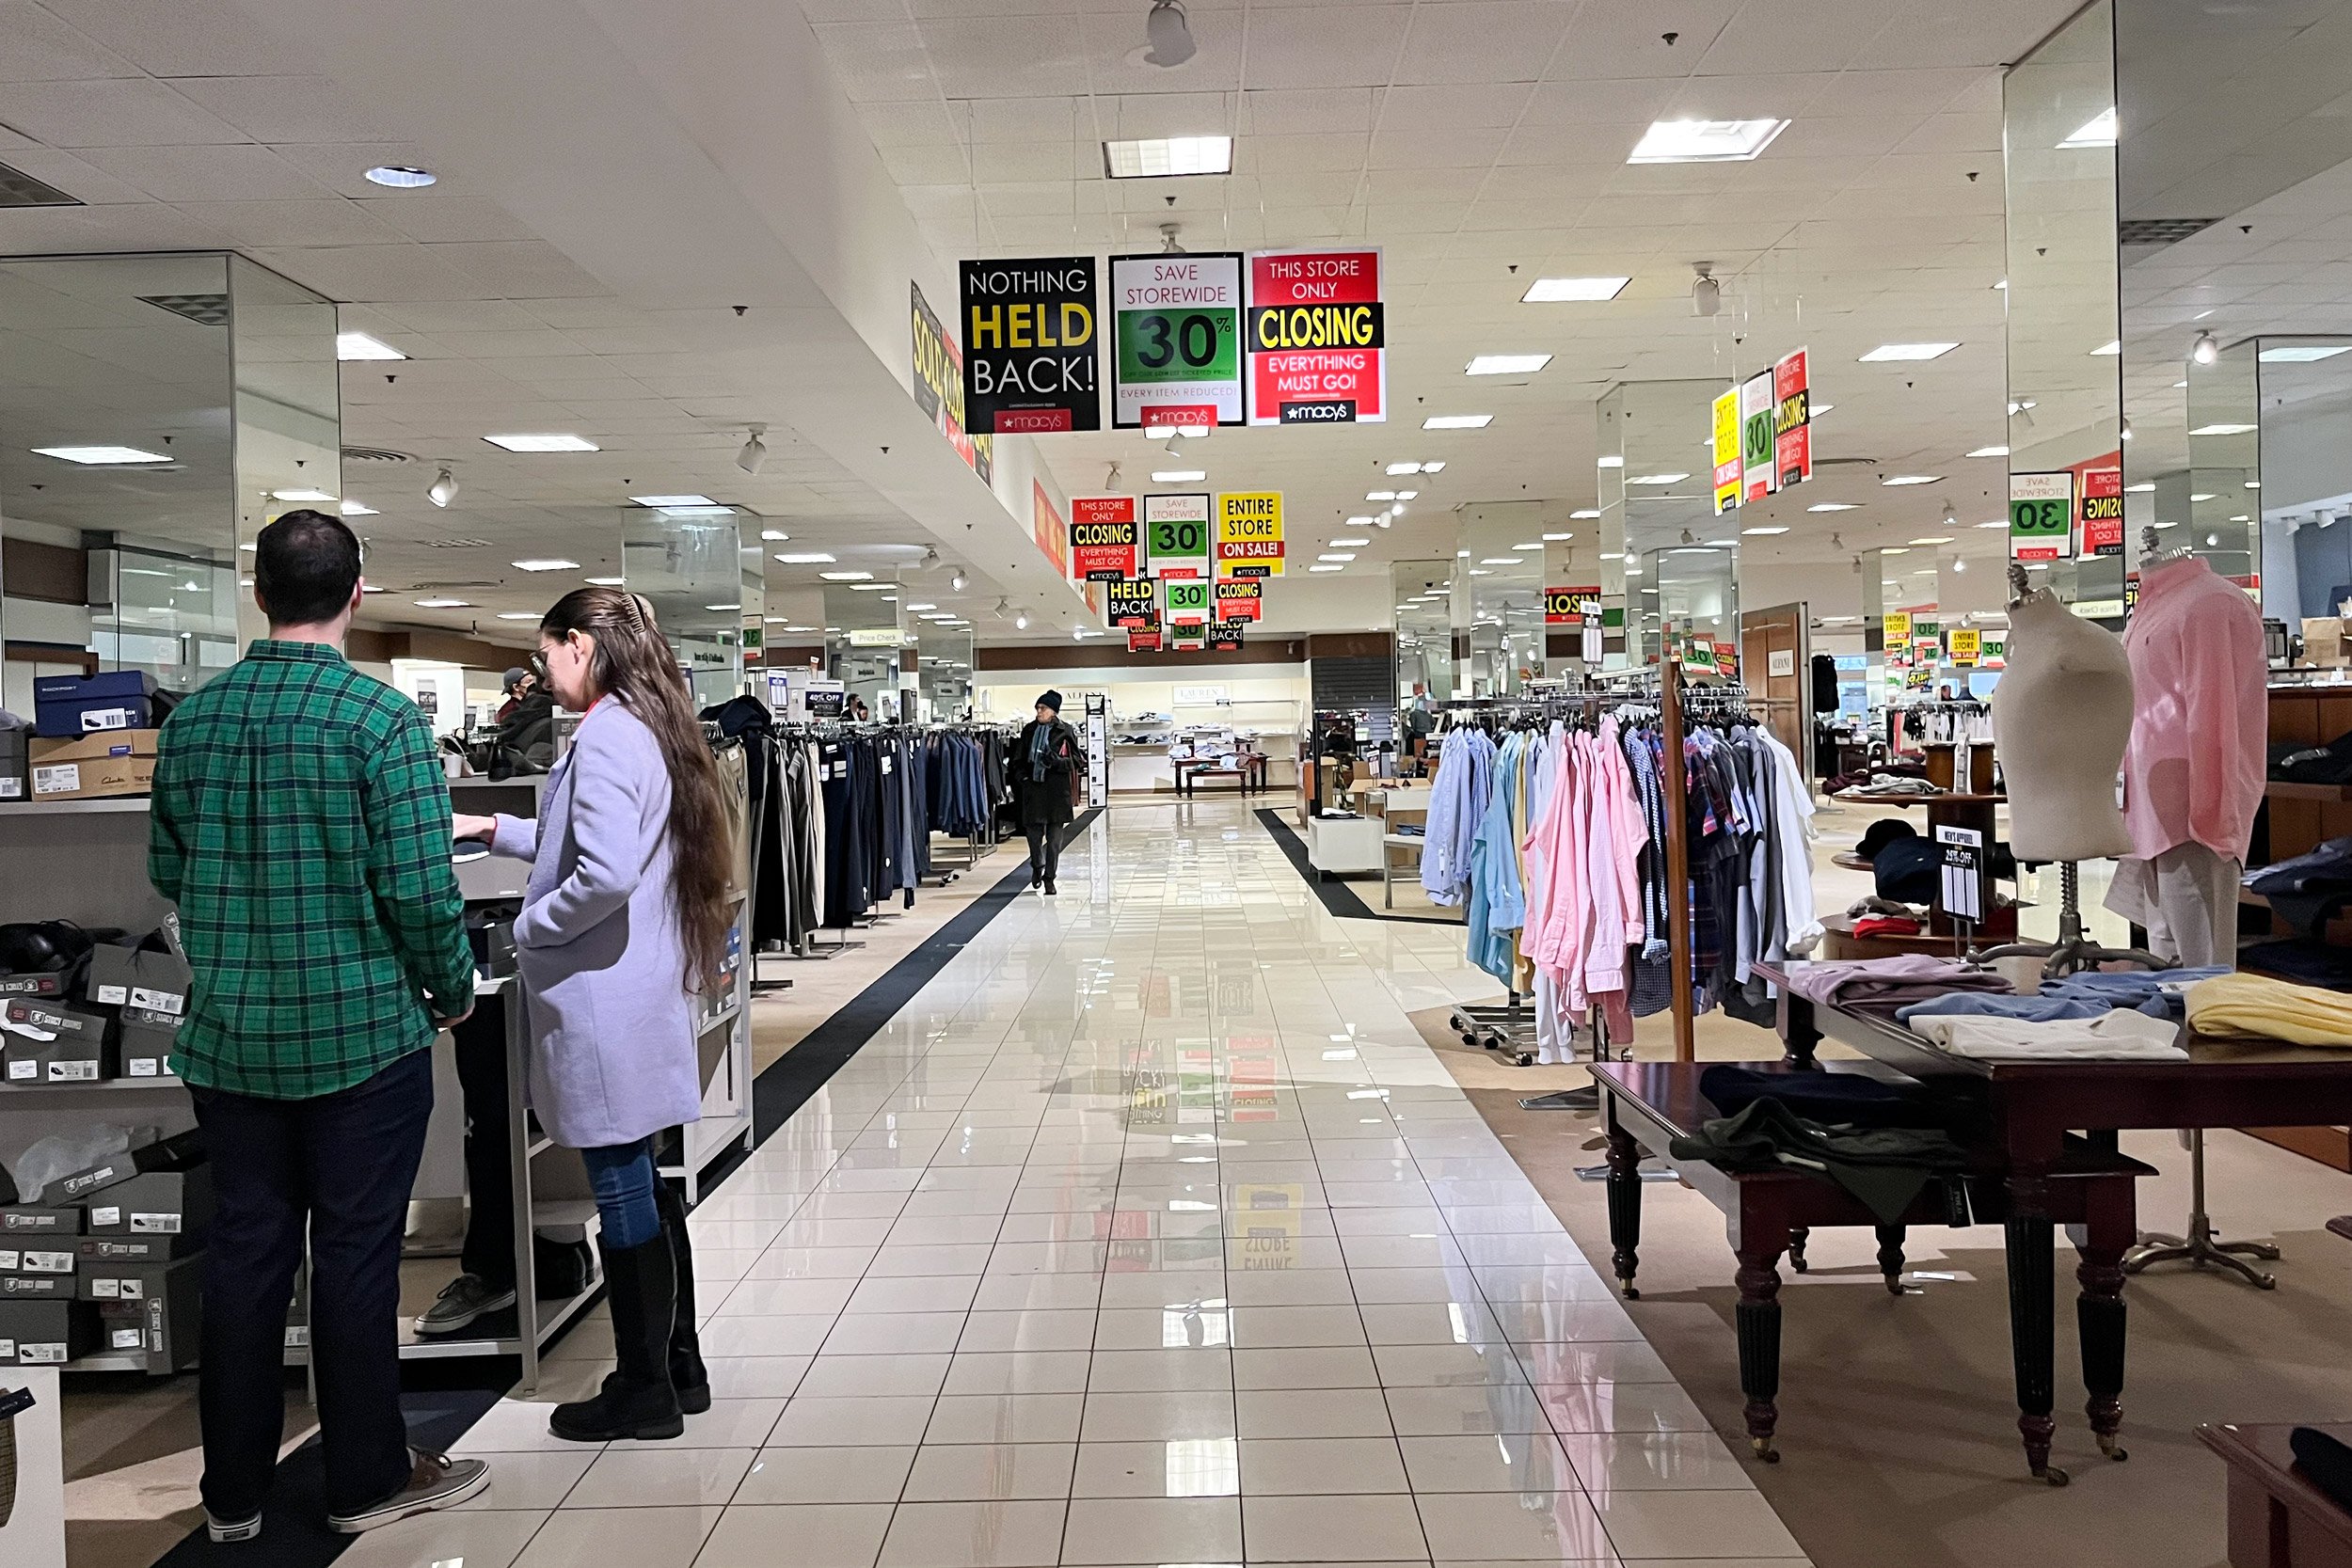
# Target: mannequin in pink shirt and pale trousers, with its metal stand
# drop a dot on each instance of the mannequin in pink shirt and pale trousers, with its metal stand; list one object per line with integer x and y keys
{"x": 2193, "y": 782}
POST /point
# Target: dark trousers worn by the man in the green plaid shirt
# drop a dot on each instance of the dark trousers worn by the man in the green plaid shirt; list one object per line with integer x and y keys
{"x": 338, "y": 1167}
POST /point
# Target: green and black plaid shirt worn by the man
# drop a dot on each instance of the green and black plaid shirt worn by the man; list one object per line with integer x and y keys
{"x": 302, "y": 826}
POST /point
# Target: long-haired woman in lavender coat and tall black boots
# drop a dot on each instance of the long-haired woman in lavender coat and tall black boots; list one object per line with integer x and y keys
{"x": 624, "y": 925}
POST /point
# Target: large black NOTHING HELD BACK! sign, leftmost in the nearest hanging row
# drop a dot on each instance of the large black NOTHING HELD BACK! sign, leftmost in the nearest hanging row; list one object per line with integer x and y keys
{"x": 1031, "y": 347}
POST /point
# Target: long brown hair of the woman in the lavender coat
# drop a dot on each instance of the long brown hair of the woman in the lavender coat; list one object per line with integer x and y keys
{"x": 636, "y": 662}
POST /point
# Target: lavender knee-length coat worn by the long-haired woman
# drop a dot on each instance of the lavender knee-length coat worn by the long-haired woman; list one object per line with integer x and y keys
{"x": 613, "y": 1024}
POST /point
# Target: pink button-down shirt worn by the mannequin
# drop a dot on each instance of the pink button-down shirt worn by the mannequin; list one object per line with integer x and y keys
{"x": 2200, "y": 718}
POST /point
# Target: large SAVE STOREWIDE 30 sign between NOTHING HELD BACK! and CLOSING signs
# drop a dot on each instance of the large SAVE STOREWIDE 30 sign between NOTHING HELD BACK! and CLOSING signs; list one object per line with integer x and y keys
{"x": 1175, "y": 342}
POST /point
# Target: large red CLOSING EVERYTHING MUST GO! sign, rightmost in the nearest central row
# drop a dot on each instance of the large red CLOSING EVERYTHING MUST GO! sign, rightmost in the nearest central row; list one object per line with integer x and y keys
{"x": 1318, "y": 349}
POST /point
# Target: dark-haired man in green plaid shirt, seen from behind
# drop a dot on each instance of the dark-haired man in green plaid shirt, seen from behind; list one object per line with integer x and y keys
{"x": 302, "y": 826}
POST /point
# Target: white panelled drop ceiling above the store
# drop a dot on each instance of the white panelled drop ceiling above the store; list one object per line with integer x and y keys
{"x": 1478, "y": 142}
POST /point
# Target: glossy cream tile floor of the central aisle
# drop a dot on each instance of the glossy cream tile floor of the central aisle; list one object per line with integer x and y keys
{"x": 1149, "y": 1233}
